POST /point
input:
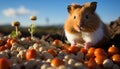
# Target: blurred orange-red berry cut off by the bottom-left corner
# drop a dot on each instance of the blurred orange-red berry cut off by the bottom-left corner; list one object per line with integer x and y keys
{"x": 4, "y": 63}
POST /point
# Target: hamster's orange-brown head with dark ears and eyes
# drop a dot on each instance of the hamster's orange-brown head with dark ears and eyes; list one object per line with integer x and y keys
{"x": 83, "y": 17}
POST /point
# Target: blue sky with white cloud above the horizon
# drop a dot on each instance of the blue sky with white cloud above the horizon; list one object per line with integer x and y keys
{"x": 51, "y": 12}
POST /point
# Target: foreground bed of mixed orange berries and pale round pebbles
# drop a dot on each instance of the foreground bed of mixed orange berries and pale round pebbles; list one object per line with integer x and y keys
{"x": 34, "y": 53}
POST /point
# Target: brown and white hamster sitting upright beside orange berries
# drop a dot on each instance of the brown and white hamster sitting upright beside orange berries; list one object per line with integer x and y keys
{"x": 83, "y": 26}
